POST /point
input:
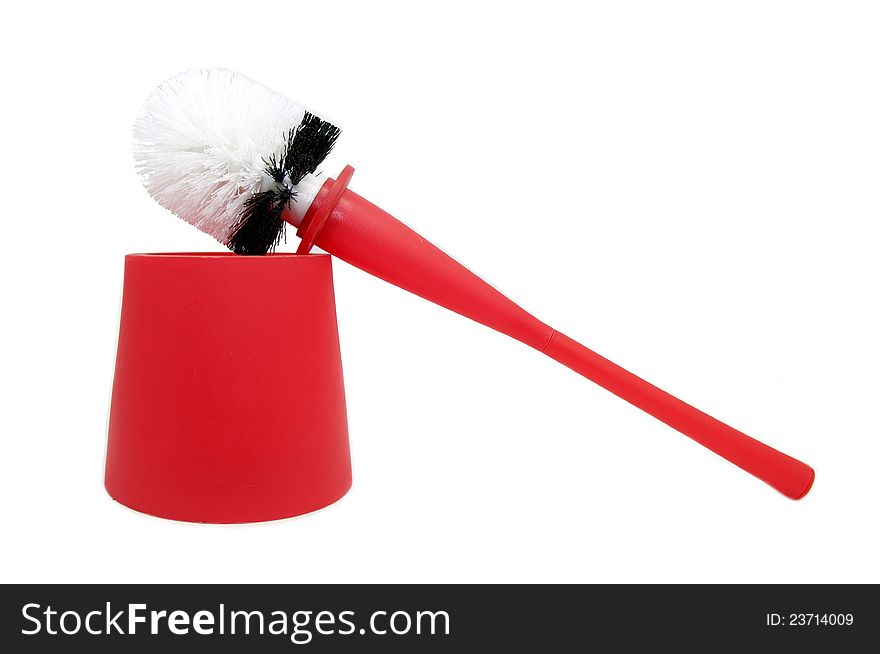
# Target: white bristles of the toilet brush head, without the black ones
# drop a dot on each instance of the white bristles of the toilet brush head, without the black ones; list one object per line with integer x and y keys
{"x": 200, "y": 143}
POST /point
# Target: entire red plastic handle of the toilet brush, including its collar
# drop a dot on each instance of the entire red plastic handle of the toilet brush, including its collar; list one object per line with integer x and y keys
{"x": 357, "y": 231}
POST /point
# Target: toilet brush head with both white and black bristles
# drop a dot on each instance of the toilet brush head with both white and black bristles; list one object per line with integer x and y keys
{"x": 226, "y": 154}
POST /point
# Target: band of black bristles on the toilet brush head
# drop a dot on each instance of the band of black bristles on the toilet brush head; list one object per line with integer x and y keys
{"x": 261, "y": 227}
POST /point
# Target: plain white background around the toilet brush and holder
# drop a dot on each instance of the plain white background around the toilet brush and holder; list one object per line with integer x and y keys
{"x": 690, "y": 188}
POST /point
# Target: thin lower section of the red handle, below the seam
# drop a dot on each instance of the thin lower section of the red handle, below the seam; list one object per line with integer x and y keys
{"x": 784, "y": 473}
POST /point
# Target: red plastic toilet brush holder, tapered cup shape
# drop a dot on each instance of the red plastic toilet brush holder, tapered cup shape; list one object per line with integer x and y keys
{"x": 228, "y": 403}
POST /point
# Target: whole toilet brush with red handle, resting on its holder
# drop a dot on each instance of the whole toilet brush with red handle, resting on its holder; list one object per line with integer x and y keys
{"x": 238, "y": 161}
